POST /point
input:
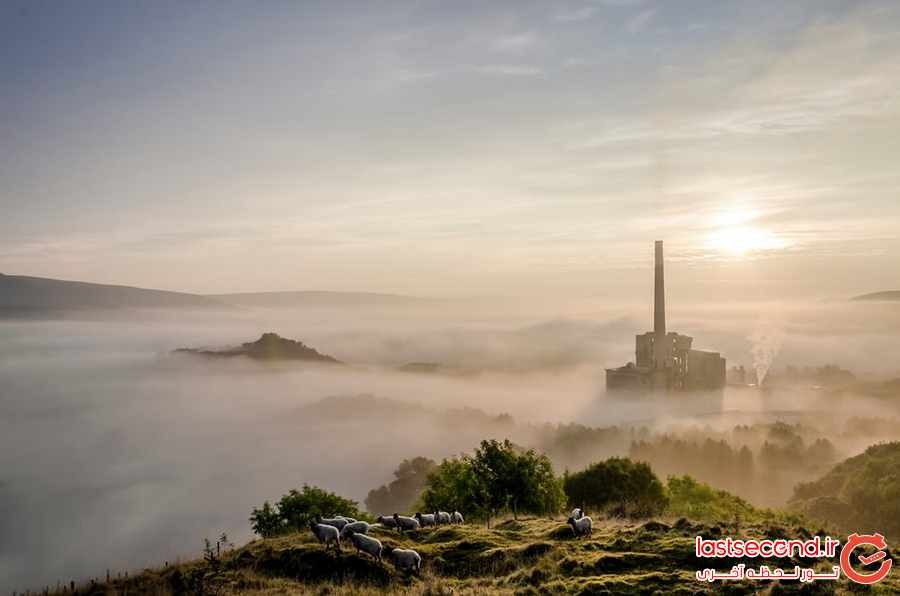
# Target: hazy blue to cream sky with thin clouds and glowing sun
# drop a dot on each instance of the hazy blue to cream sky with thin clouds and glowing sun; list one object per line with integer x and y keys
{"x": 453, "y": 148}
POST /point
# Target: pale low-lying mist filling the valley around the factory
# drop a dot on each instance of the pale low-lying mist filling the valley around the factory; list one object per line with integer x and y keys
{"x": 116, "y": 453}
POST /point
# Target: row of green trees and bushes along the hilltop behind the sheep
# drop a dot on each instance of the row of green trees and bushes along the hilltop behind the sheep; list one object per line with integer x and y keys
{"x": 497, "y": 479}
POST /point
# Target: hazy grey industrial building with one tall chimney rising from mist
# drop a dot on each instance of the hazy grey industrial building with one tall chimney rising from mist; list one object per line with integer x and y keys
{"x": 665, "y": 361}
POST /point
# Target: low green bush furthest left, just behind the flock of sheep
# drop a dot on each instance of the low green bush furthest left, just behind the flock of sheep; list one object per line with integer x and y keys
{"x": 295, "y": 510}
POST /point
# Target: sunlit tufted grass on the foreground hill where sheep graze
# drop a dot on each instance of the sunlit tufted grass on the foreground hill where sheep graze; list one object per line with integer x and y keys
{"x": 530, "y": 556}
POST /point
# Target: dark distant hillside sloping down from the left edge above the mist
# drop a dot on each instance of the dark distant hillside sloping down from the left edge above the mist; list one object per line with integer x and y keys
{"x": 23, "y": 295}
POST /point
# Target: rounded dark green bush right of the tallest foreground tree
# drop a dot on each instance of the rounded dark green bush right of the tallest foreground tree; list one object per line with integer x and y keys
{"x": 617, "y": 486}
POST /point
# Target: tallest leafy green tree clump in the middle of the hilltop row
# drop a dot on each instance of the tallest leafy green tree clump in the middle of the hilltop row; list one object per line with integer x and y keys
{"x": 498, "y": 478}
